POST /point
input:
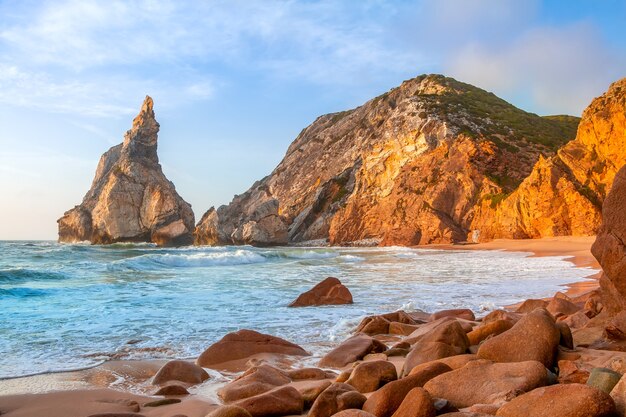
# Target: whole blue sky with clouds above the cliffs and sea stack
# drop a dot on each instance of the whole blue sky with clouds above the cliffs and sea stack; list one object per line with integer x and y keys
{"x": 234, "y": 82}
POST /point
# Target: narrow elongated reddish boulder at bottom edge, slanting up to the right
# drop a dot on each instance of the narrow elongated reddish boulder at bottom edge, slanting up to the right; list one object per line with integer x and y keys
{"x": 385, "y": 401}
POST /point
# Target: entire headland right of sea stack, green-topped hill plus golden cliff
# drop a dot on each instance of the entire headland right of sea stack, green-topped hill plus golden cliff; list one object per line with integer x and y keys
{"x": 433, "y": 161}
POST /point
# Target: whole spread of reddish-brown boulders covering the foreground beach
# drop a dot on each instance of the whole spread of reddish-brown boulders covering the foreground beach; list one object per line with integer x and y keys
{"x": 520, "y": 363}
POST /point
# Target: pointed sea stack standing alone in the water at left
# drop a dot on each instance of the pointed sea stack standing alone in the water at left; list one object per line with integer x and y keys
{"x": 130, "y": 199}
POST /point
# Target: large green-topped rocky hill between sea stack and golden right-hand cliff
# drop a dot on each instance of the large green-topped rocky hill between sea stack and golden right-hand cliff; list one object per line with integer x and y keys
{"x": 408, "y": 167}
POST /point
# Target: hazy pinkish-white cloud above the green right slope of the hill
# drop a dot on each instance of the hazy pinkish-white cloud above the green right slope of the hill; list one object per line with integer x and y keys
{"x": 557, "y": 69}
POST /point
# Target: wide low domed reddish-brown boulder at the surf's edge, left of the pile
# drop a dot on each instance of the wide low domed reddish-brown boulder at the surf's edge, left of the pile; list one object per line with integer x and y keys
{"x": 245, "y": 343}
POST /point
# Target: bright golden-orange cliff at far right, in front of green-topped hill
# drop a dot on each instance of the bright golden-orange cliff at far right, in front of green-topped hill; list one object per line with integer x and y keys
{"x": 563, "y": 195}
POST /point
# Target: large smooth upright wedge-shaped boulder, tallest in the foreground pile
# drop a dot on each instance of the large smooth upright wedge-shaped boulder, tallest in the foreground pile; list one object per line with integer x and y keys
{"x": 534, "y": 337}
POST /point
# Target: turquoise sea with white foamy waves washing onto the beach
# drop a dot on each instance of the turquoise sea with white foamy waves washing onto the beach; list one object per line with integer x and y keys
{"x": 69, "y": 306}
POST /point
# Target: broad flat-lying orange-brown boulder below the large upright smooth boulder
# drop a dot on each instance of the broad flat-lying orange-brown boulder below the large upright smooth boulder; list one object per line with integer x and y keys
{"x": 486, "y": 382}
